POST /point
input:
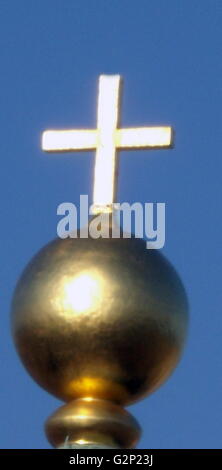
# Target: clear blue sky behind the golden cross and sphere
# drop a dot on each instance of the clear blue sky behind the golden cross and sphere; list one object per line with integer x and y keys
{"x": 169, "y": 53}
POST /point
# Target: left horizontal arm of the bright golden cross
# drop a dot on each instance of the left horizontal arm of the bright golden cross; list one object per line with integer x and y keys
{"x": 69, "y": 140}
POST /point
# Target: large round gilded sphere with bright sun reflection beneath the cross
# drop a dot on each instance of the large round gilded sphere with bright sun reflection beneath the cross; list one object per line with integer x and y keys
{"x": 103, "y": 318}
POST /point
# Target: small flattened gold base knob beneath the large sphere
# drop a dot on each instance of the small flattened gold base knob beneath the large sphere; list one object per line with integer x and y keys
{"x": 91, "y": 422}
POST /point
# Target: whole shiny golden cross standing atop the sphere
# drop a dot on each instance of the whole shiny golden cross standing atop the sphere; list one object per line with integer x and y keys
{"x": 106, "y": 140}
